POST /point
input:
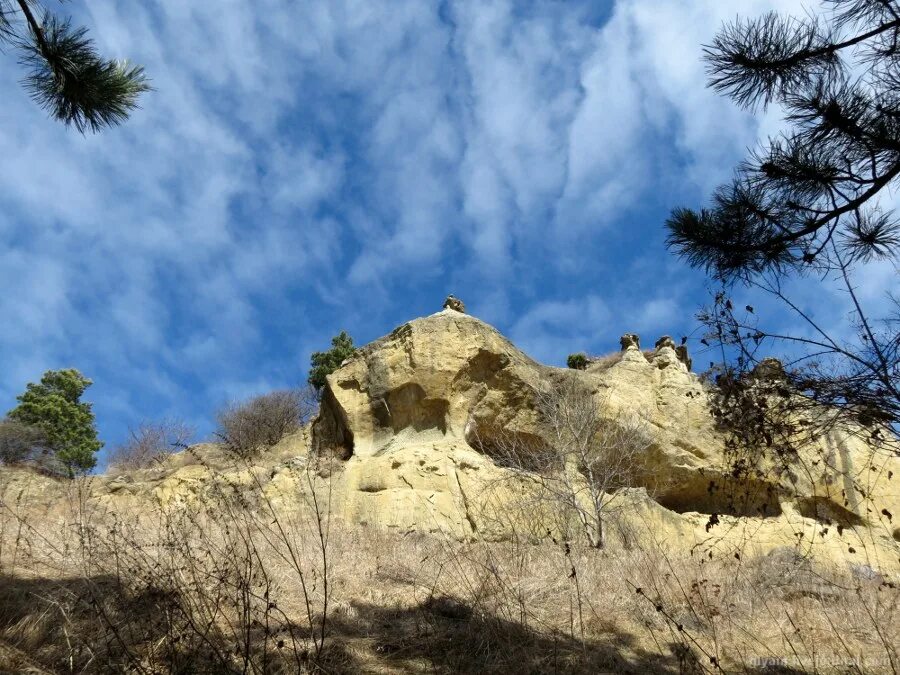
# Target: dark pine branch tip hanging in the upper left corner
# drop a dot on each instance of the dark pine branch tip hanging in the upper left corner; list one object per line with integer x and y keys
{"x": 66, "y": 75}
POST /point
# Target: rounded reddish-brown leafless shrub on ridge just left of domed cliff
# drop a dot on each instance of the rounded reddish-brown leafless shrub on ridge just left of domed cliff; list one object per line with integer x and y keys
{"x": 259, "y": 423}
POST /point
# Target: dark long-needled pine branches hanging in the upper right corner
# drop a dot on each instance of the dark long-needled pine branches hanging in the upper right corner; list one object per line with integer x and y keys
{"x": 808, "y": 198}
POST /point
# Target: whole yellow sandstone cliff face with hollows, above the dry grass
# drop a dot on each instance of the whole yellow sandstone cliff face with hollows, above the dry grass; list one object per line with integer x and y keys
{"x": 410, "y": 429}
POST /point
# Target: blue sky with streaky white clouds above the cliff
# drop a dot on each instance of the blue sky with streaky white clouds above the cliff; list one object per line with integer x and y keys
{"x": 307, "y": 167}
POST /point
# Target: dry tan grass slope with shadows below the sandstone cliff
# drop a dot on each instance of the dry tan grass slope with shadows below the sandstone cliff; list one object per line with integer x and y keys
{"x": 237, "y": 584}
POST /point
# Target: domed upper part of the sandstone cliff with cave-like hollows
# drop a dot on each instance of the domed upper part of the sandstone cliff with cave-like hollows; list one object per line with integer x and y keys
{"x": 430, "y": 380}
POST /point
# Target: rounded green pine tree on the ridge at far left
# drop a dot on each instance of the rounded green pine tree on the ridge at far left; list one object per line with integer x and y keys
{"x": 54, "y": 406}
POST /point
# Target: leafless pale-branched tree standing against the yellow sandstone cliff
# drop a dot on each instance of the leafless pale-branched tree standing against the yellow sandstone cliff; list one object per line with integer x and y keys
{"x": 587, "y": 456}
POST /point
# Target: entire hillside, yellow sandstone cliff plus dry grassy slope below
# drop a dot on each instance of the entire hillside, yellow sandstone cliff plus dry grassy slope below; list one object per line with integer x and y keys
{"x": 442, "y": 514}
